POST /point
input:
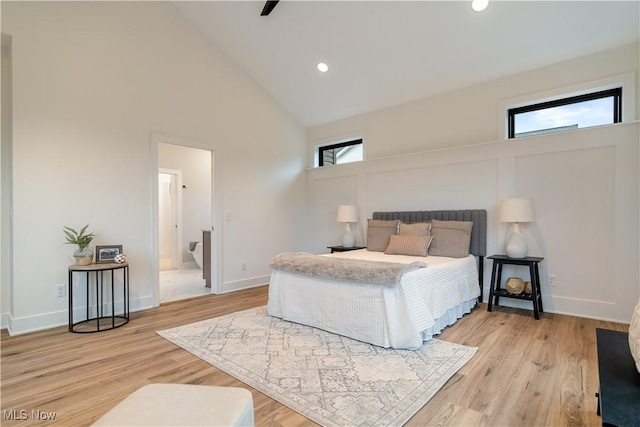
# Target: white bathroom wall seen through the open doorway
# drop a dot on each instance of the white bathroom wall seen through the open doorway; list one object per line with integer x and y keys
{"x": 195, "y": 165}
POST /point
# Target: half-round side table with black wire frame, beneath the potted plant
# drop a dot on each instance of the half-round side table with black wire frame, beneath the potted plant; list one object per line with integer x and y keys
{"x": 103, "y": 320}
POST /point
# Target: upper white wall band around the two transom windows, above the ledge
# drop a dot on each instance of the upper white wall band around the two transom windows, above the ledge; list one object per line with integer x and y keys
{"x": 470, "y": 115}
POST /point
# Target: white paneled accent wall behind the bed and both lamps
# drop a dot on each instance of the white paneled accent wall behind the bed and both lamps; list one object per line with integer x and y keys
{"x": 585, "y": 189}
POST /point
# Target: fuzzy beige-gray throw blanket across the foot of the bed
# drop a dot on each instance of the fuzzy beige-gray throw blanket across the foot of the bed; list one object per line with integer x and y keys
{"x": 351, "y": 270}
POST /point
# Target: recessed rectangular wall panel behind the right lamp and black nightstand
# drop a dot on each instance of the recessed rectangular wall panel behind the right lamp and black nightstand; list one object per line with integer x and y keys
{"x": 583, "y": 183}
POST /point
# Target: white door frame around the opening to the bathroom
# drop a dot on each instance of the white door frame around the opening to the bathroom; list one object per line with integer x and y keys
{"x": 216, "y": 210}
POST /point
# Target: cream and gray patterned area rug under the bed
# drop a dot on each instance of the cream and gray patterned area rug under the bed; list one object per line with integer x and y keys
{"x": 328, "y": 378}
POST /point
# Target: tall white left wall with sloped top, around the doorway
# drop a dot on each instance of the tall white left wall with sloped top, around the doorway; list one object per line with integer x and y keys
{"x": 91, "y": 82}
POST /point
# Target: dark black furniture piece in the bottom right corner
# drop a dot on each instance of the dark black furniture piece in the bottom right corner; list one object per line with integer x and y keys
{"x": 619, "y": 392}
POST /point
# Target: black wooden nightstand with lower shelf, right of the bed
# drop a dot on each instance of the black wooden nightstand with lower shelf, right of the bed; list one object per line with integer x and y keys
{"x": 495, "y": 291}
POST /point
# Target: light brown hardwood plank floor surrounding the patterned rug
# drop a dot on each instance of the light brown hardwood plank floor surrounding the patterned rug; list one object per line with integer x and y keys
{"x": 526, "y": 372}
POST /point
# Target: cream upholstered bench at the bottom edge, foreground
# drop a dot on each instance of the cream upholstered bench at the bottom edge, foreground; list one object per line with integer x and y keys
{"x": 182, "y": 405}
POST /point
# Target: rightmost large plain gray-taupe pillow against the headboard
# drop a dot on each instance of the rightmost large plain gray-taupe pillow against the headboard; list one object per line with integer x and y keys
{"x": 450, "y": 238}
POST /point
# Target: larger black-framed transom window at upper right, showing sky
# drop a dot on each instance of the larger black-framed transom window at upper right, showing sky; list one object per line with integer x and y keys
{"x": 592, "y": 109}
